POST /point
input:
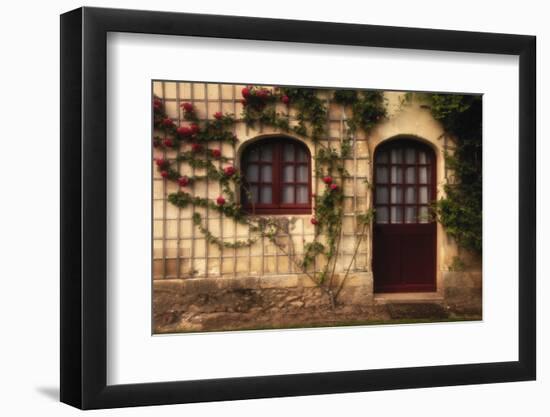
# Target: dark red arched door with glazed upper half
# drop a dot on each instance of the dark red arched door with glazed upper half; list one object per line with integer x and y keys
{"x": 404, "y": 241}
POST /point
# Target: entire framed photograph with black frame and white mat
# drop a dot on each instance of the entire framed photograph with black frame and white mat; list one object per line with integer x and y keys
{"x": 258, "y": 208}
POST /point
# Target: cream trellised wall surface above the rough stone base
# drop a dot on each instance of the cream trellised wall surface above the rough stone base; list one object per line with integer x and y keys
{"x": 180, "y": 250}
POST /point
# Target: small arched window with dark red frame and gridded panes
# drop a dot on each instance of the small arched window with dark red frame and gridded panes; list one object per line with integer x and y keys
{"x": 277, "y": 177}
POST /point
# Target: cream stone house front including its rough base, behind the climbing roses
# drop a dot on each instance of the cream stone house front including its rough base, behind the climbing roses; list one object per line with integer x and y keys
{"x": 191, "y": 276}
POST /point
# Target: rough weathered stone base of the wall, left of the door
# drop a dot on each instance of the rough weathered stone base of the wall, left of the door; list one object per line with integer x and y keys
{"x": 202, "y": 304}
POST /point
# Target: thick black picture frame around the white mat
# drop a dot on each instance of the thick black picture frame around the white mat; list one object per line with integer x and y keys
{"x": 84, "y": 209}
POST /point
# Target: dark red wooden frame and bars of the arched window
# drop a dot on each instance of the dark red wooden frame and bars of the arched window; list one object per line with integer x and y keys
{"x": 277, "y": 206}
